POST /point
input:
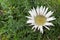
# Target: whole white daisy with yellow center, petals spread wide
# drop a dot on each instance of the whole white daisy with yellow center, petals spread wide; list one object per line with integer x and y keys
{"x": 40, "y": 18}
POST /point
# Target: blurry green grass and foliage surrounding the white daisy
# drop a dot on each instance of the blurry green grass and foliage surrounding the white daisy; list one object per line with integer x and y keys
{"x": 13, "y": 24}
